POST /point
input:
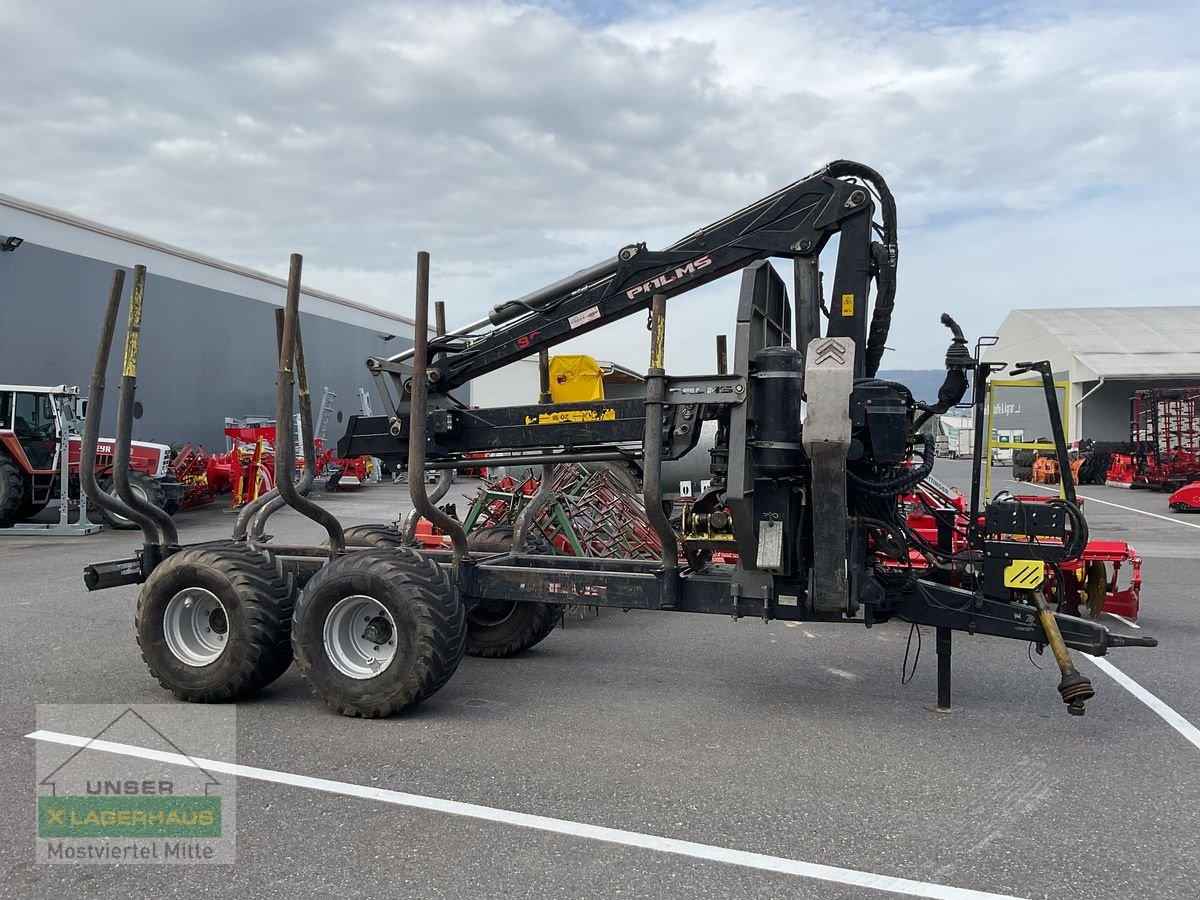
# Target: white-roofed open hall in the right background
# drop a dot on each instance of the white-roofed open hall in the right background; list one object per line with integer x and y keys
{"x": 1105, "y": 353}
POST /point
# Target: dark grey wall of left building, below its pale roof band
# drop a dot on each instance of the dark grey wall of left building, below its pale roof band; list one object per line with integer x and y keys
{"x": 206, "y": 355}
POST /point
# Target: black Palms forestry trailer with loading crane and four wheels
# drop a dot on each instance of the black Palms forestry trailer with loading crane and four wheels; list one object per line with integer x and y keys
{"x": 813, "y": 507}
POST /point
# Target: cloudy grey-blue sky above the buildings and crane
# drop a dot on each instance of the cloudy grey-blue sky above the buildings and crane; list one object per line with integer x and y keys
{"x": 1041, "y": 154}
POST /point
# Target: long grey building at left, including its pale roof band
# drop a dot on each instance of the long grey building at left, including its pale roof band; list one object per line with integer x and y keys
{"x": 208, "y": 349}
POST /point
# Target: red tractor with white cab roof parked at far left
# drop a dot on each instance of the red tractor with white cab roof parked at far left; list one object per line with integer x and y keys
{"x": 35, "y": 424}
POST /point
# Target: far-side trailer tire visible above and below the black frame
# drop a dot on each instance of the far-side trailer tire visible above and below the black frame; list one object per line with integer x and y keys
{"x": 501, "y": 629}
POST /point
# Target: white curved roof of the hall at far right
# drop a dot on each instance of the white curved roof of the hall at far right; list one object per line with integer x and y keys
{"x": 1108, "y": 343}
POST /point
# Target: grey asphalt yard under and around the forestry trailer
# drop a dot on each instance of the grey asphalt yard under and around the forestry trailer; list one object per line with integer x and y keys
{"x": 797, "y": 742}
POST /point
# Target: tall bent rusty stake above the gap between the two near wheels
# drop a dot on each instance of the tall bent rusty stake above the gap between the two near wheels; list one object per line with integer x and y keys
{"x": 285, "y": 433}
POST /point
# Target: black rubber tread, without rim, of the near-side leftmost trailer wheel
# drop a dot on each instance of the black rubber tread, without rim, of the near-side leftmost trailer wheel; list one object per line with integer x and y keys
{"x": 257, "y": 598}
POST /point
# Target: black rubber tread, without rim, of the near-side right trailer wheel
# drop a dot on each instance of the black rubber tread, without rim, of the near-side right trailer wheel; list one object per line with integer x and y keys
{"x": 431, "y": 631}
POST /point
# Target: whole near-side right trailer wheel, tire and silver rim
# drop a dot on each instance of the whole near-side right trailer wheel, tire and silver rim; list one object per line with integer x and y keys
{"x": 399, "y": 605}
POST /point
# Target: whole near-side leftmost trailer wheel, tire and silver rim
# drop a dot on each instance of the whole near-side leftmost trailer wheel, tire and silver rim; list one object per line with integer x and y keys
{"x": 188, "y": 602}
